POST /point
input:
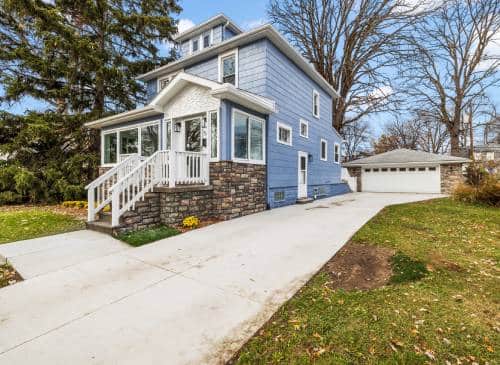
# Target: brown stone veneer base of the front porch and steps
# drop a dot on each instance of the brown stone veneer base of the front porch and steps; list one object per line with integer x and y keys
{"x": 235, "y": 190}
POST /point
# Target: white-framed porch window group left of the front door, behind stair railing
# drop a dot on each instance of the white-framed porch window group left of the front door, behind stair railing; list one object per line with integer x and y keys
{"x": 118, "y": 143}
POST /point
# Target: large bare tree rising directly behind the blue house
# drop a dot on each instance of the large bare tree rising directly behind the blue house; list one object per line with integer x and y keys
{"x": 351, "y": 43}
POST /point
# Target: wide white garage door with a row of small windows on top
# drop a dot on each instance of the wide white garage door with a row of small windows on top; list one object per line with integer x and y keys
{"x": 418, "y": 179}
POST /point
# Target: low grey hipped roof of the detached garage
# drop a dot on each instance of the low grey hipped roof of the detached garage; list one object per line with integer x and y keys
{"x": 406, "y": 156}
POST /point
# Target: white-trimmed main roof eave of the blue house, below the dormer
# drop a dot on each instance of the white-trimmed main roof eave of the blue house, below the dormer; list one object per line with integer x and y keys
{"x": 266, "y": 31}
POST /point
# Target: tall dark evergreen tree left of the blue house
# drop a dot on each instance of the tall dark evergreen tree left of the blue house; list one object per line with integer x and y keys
{"x": 80, "y": 57}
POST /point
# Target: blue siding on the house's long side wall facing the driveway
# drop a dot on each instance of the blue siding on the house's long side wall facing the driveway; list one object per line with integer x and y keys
{"x": 292, "y": 89}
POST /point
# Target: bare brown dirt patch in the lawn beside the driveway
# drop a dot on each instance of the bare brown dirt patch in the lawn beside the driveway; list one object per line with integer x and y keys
{"x": 360, "y": 267}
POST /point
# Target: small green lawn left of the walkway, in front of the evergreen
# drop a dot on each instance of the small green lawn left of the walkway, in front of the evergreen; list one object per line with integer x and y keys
{"x": 34, "y": 222}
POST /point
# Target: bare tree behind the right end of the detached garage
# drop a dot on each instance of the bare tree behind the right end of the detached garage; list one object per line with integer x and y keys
{"x": 450, "y": 68}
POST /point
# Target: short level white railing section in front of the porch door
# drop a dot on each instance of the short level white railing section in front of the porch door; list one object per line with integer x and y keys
{"x": 191, "y": 168}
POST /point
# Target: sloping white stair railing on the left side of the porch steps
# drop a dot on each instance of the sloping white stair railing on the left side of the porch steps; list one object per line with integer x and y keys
{"x": 99, "y": 190}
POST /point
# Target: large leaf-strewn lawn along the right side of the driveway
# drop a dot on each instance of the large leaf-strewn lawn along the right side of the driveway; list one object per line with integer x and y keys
{"x": 451, "y": 315}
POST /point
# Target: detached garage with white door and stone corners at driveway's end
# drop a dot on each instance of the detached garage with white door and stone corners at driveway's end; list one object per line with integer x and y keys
{"x": 407, "y": 171}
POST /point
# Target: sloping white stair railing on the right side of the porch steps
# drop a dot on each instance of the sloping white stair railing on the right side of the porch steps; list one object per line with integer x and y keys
{"x": 141, "y": 180}
